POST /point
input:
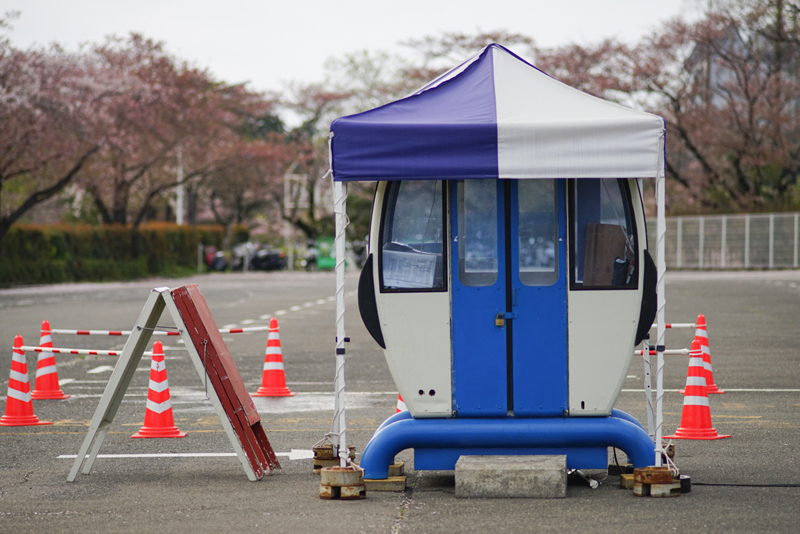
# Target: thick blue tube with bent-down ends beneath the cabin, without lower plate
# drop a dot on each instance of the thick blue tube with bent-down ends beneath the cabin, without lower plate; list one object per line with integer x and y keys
{"x": 405, "y": 433}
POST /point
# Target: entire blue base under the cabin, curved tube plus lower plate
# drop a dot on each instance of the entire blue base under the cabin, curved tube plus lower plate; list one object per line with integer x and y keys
{"x": 438, "y": 443}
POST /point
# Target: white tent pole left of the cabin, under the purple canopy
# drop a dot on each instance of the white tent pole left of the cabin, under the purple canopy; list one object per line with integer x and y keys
{"x": 339, "y": 424}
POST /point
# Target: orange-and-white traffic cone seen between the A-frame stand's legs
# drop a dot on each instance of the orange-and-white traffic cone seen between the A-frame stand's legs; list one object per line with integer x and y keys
{"x": 158, "y": 422}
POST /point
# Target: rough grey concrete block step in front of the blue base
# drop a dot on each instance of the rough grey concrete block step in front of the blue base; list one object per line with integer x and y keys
{"x": 532, "y": 477}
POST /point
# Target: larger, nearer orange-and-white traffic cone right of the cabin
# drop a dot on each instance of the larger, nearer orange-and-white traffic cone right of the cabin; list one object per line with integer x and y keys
{"x": 696, "y": 417}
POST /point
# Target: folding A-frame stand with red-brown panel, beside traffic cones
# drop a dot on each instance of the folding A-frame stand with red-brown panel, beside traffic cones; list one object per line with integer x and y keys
{"x": 214, "y": 365}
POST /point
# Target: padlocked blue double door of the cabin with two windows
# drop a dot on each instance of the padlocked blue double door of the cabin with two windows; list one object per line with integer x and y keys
{"x": 509, "y": 298}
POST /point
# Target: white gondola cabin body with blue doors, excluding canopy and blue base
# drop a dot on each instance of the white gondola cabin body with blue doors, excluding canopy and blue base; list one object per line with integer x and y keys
{"x": 499, "y": 298}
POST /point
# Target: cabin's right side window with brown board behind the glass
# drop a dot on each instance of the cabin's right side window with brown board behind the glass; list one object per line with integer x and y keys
{"x": 603, "y": 235}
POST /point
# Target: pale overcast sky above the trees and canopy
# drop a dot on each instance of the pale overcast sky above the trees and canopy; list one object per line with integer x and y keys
{"x": 270, "y": 42}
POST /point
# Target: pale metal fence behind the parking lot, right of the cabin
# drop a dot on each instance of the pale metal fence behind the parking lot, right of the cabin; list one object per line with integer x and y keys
{"x": 749, "y": 241}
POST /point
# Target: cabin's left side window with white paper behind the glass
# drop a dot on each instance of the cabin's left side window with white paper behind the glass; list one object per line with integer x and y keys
{"x": 412, "y": 240}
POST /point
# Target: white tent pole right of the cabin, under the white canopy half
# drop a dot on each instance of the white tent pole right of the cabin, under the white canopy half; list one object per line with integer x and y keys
{"x": 661, "y": 267}
